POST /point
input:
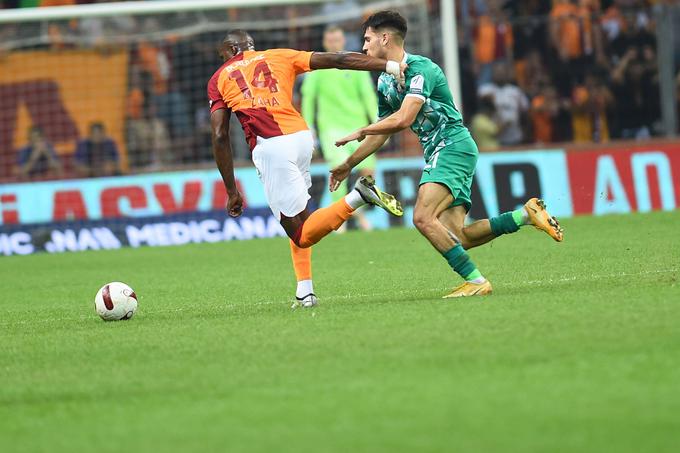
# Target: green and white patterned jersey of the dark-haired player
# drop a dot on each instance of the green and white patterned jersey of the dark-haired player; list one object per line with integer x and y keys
{"x": 438, "y": 122}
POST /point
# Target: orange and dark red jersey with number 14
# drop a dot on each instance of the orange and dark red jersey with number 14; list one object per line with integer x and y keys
{"x": 258, "y": 88}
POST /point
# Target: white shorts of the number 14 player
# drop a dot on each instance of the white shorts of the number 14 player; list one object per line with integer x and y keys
{"x": 283, "y": 167}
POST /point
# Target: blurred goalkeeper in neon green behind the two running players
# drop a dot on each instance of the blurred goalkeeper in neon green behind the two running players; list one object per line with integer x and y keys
{"x": 335, "y": 103}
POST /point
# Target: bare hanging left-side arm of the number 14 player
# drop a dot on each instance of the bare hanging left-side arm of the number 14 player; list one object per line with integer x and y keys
{"x": 219, "y": 122}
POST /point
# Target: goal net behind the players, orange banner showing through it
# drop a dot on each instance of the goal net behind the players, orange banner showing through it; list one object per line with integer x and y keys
{"x": 136, "y": 73}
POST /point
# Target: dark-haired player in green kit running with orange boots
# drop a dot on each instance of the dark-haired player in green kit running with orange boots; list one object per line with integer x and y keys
{"x": 424, "y": 103}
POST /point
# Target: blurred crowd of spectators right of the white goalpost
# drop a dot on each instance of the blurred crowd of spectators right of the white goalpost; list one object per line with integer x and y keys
{"x": 568, "y": 70}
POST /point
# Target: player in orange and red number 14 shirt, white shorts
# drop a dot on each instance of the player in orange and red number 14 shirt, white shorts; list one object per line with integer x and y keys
{"x": 257, "y": 86}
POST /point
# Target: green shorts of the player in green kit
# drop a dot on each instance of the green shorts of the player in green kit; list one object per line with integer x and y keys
{"x": 454, "y": 166}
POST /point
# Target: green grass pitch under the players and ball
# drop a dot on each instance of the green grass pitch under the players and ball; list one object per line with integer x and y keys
{"x": 577, "y": 350}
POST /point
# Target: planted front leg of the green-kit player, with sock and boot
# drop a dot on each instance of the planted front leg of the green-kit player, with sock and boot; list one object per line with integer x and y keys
{"x": 433, "y": 199}
